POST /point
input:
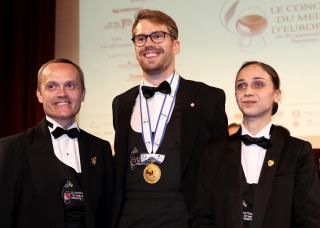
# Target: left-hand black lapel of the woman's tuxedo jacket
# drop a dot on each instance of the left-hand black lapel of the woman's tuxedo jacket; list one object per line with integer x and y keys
{"x": 233, "y": 160}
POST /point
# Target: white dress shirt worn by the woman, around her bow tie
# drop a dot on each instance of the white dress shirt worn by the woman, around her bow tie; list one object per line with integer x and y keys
{"x": 252, "y": 156}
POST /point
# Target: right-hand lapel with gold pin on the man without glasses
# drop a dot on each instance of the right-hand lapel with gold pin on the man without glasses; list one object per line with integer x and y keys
{"x": 88, "y": 159}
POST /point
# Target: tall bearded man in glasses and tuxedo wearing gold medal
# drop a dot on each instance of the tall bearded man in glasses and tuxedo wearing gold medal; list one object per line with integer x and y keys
{"x": 161, "y": 128}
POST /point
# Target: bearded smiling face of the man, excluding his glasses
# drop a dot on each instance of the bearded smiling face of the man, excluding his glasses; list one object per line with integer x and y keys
{"x": 156, "y": 60}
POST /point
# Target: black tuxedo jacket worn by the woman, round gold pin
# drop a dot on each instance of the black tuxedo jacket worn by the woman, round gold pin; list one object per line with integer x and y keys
{"x": 287, "y": 195}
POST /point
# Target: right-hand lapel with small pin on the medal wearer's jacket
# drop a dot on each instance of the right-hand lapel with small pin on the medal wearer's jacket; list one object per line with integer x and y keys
{"x": 190, "y": 121}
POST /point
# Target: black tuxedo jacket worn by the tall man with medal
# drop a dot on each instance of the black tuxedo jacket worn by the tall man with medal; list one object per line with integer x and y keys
{"x": 203, "y": 119}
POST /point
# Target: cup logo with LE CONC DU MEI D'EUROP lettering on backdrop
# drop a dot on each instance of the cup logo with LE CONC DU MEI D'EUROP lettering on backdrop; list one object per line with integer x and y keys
{"x": 290, "y": 21}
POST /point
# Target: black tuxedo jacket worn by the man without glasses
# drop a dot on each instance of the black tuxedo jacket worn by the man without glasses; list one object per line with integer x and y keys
{"x": 30, "y": 187}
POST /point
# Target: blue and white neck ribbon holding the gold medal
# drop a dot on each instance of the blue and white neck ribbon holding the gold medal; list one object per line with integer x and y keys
{"x": 153, "y": 142}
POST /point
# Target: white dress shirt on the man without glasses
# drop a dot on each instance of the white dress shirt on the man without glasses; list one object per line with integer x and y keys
{"x": 65, "y": 148}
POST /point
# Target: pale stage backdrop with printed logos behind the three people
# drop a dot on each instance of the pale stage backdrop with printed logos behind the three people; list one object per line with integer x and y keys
{"x": 216, "y": 38}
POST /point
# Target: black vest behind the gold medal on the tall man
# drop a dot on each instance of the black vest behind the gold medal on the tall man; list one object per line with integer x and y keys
{"x": 160, "y": 204}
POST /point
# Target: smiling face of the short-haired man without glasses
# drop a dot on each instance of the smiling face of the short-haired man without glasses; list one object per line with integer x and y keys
{"x": 60, "y": 92}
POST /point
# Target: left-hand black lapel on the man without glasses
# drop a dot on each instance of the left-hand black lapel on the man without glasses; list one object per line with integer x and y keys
{"x": 45, "y": 174}
